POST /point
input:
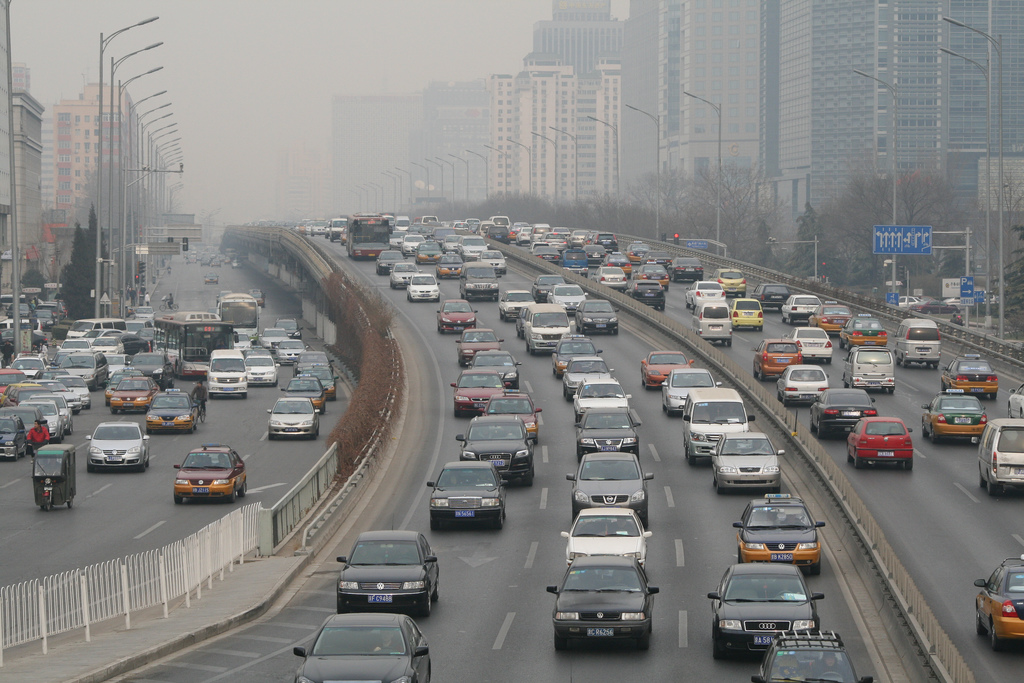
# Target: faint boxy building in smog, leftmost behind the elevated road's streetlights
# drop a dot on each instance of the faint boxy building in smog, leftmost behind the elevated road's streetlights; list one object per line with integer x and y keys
{"x": 372, "y": 136}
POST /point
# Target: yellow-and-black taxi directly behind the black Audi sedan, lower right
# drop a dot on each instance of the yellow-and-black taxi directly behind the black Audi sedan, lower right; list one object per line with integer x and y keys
{"x": 779, "y": 528}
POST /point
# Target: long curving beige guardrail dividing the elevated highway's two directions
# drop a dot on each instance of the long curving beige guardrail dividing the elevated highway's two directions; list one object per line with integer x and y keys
{"x": 935, "y": 644}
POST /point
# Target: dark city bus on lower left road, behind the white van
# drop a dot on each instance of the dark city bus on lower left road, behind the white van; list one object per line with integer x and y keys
{"x": 190, "y": 338}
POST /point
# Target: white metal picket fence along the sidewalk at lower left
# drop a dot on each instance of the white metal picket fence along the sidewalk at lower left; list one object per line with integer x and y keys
{"x": 42, "y": 608}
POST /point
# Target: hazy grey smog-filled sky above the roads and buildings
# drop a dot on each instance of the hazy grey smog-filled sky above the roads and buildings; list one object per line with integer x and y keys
{"x": 250, "y": 78}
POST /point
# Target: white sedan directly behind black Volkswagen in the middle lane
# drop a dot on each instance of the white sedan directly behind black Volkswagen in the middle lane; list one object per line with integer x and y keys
{"x": 607, "y": 532}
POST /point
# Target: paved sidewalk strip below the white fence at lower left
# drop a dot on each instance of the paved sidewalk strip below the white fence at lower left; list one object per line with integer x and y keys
{"x": 242, "y": 596}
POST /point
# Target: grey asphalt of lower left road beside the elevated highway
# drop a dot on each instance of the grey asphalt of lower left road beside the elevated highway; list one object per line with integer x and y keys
{"x": 120, "y": 514}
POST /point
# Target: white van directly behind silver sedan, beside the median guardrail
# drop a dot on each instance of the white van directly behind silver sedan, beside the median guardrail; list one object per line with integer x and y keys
{"x": 708, "y": 414}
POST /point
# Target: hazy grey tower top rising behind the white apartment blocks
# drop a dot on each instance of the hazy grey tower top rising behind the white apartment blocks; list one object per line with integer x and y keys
{"x": 580, "y": 33}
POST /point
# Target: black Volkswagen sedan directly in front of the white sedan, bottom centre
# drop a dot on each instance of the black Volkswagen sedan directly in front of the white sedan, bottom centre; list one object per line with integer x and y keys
{"x": 604, "y": 599}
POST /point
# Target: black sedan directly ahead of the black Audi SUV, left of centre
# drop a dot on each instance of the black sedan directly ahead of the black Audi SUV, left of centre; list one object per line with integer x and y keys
{"x": 467, "y": 492}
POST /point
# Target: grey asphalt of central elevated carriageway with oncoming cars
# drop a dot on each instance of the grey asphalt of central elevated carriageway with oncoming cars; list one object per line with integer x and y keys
{"x": 494, "y": 618}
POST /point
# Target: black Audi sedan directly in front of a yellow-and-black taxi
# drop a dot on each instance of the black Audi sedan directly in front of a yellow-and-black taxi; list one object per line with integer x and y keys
{"x": 755, "y": 604}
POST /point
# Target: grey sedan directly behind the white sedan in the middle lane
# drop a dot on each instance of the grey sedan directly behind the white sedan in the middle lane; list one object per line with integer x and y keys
{"x": 611, "y": 480}
